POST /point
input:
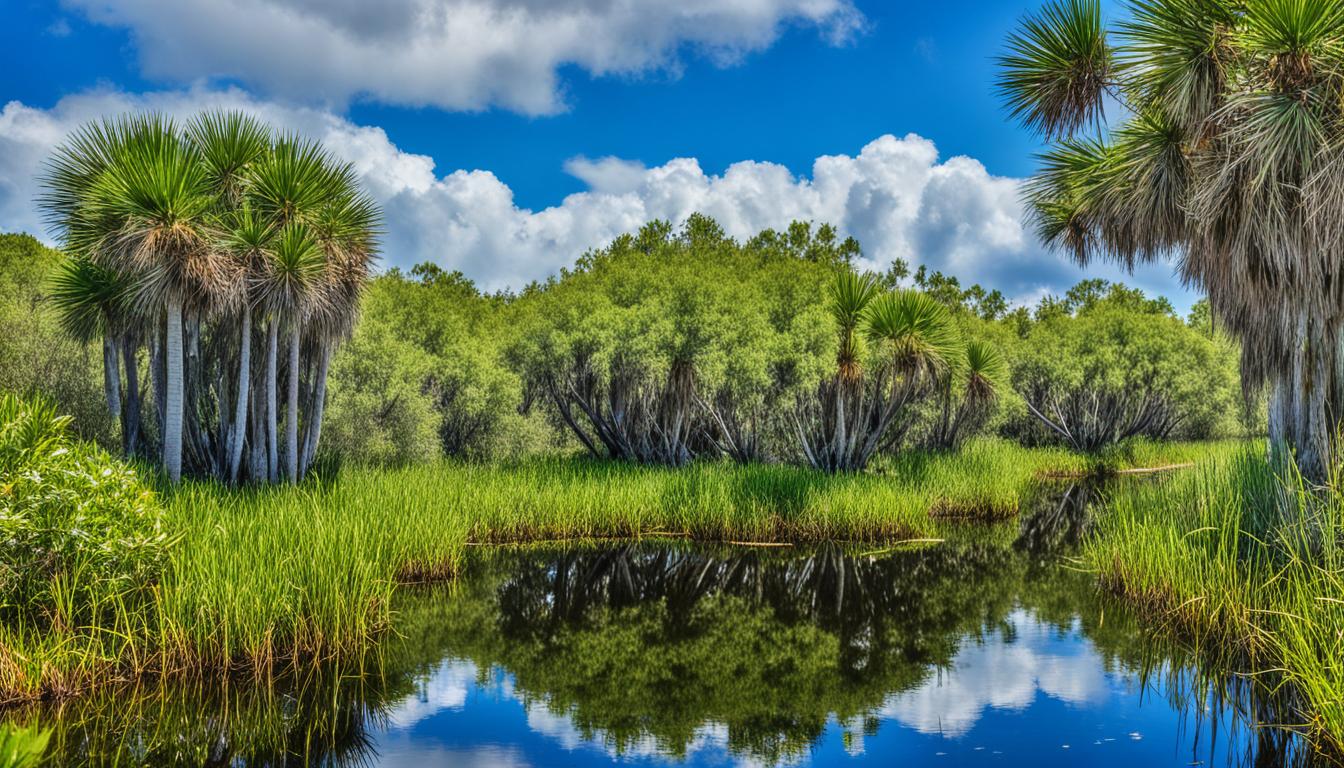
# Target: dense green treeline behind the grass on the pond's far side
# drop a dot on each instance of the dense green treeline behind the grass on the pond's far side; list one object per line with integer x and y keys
{"x": 674, "y": 345}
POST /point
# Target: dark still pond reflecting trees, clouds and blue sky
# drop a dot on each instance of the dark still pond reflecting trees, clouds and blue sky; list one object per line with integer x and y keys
{"x": 986, "y": 649}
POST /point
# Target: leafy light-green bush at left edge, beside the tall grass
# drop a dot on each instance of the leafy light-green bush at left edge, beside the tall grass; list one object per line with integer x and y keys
{"x": 79, "y": 528}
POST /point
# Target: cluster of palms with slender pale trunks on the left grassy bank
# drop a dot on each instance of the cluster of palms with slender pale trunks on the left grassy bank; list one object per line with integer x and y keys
{"x": 235, "y": 259}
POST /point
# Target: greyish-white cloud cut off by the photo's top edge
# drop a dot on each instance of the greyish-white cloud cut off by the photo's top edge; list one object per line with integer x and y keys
{"x": 454, "y": 54}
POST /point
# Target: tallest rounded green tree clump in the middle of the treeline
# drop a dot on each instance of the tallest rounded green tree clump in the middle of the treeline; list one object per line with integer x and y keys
{"x": 665, "y": 346}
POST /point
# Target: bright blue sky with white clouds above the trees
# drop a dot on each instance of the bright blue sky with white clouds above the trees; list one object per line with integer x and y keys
{"x": 506, "y": 138}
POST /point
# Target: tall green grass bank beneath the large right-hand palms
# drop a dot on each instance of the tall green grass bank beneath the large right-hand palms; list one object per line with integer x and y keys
{"x": 1245, "y": 568}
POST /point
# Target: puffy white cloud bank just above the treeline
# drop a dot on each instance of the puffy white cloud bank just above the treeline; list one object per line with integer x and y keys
{"x": 896, "y": 196}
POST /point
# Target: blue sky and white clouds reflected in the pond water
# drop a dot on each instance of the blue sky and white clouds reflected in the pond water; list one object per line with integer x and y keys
{"x": 1032, "y": 695}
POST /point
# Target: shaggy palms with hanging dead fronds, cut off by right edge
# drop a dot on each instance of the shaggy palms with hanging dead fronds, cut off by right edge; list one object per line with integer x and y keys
{"x": 1230, "y": 158}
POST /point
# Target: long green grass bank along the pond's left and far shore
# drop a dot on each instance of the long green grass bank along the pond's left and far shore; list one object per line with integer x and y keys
{"x": 260, "y": 578}
